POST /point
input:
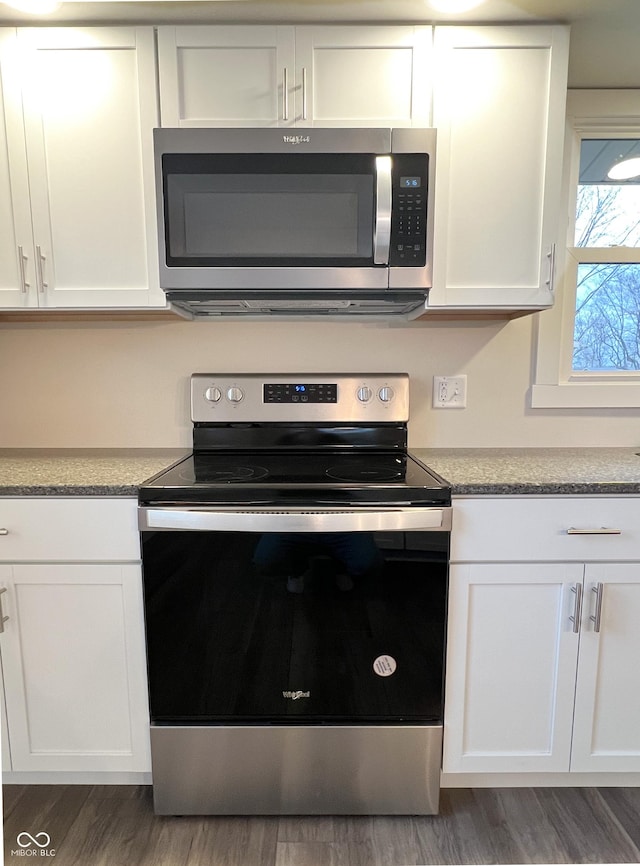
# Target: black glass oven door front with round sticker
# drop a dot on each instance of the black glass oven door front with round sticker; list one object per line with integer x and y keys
{"x": 290, "y": 628}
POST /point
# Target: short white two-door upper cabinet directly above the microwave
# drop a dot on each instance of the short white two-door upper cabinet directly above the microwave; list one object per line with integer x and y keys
{"x": 295, "y": 76}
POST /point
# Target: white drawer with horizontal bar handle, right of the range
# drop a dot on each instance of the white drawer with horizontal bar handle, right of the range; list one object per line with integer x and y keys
{"x": 511, "y": 528}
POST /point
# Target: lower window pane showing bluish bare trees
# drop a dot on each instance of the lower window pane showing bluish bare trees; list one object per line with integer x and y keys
{"x": 607, "y": 324}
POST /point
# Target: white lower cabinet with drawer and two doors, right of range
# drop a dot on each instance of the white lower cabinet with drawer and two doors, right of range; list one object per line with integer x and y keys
{"x": 542, "y": 672}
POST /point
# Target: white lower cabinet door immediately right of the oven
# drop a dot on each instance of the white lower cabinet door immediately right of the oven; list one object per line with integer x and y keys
{"x": 511, "y": 665}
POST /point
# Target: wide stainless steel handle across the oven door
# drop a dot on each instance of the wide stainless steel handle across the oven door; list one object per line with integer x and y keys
{"x": 294, "y": 520}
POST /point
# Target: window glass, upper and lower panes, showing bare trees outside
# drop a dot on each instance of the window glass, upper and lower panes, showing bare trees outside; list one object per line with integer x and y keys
{"x": 607, "y": 316}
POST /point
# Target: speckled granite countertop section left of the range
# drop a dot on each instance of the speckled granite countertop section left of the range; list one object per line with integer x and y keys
{"x": 81, "y": 472}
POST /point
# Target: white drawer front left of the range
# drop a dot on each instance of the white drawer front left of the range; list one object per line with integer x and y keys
{"x": 84, "y": 529}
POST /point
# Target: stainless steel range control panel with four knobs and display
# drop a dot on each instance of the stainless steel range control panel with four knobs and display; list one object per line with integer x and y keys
{"x": 336, "y": 398}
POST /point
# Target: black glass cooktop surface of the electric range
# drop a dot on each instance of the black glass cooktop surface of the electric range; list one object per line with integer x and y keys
{"x": 313, "y": 476}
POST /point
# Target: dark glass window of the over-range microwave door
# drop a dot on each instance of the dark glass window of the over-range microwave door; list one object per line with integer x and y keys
{"x": 268, "y": 210}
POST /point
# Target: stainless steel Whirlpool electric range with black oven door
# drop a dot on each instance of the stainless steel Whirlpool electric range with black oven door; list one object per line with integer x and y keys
{"x": 295, "y": 573}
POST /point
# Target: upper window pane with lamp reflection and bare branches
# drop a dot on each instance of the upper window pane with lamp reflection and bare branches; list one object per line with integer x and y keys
{"x": 607, "y": 212}
